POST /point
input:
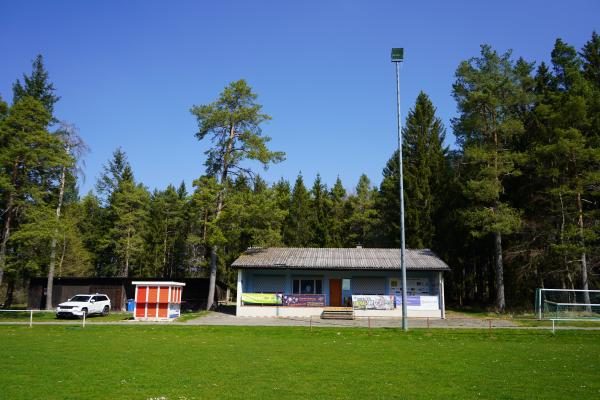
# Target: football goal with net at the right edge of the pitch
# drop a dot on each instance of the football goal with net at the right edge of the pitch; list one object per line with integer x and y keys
{"x": 567, "y": 303}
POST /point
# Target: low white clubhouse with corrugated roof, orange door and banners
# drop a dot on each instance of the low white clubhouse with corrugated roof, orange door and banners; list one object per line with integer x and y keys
{"x": 302, "y": 282}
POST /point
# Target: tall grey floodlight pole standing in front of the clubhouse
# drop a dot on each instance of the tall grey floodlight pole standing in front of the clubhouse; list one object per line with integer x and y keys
{"x": 397, "y": 58}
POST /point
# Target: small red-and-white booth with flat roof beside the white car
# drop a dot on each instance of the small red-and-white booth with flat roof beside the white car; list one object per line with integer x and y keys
{"x": 157, "y": 301}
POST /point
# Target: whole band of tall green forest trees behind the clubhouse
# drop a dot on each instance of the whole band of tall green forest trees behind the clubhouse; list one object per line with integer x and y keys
{"x": 511, "y": 207}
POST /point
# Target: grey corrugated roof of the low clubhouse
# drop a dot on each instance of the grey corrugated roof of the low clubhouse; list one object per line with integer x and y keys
{"x": 338, "y": 259}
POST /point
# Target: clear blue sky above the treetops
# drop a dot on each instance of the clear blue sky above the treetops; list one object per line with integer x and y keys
{"x": 128, "y": 72}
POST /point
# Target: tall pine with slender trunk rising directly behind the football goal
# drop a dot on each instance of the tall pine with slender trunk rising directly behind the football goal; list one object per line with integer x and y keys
{"x": 570, "y": 156}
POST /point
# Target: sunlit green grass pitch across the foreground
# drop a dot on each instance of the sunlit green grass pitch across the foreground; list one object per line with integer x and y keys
{"x": 195, "y": 362}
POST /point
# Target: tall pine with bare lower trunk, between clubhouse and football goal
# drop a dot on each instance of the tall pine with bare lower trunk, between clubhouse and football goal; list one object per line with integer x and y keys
{"x": 488, "y": 93}
